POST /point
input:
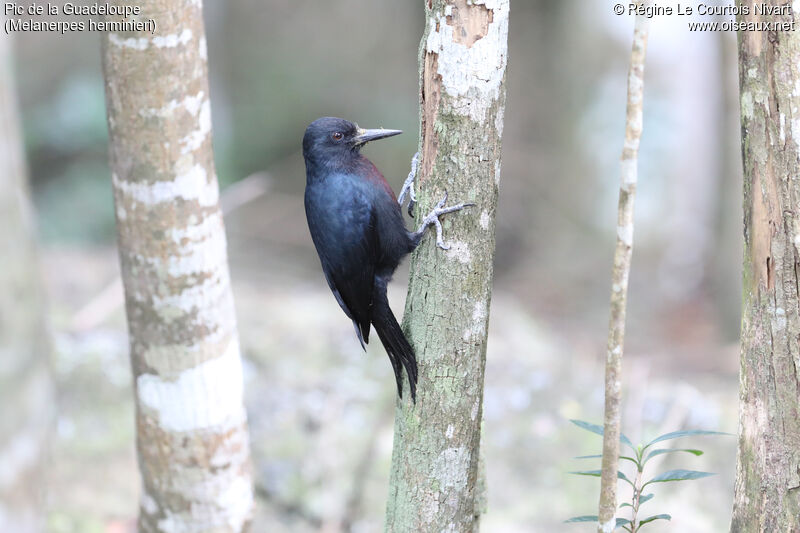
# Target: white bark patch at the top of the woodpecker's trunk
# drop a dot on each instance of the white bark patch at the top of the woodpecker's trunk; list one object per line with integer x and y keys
{"x": 478, "y": 68}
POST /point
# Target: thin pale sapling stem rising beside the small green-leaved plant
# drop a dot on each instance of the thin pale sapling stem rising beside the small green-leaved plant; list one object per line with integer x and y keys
{"x": 619, "y": 280}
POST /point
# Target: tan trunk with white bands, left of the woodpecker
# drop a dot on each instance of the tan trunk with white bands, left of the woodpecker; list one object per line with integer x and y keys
{"x": 192, "y": 435}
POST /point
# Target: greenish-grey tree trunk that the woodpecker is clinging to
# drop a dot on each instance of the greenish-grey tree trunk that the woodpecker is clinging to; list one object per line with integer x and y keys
{"x": 463, "y": 57}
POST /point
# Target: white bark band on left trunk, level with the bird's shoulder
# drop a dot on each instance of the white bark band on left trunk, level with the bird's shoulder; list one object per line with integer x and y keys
{"x": 190, "y": 184}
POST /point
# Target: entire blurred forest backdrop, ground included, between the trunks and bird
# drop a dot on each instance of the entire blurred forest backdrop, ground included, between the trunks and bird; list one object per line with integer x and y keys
{"x": 321, "y": 412}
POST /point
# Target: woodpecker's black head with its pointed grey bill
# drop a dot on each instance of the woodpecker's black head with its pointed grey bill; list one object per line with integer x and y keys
{"x": 330, "y": 138}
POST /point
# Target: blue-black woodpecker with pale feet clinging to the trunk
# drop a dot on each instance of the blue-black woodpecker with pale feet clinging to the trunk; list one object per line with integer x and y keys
{"x": 358, "y": 230}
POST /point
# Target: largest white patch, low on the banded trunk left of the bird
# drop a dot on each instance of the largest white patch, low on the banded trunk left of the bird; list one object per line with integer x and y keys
{"x": 208, "y": 395}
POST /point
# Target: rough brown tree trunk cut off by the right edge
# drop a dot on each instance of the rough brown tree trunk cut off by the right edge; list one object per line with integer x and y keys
{"x": 767, "y": 493}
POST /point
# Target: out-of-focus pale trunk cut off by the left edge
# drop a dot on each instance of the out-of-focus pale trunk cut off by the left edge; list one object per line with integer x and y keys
{"x": 25, "y": 387}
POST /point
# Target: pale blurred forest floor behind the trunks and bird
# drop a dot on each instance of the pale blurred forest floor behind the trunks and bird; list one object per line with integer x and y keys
{"x": 321, "y": 411}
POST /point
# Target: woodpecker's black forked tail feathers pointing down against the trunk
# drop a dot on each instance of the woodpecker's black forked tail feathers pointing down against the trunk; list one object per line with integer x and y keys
{"x": 395, "y": 342}
